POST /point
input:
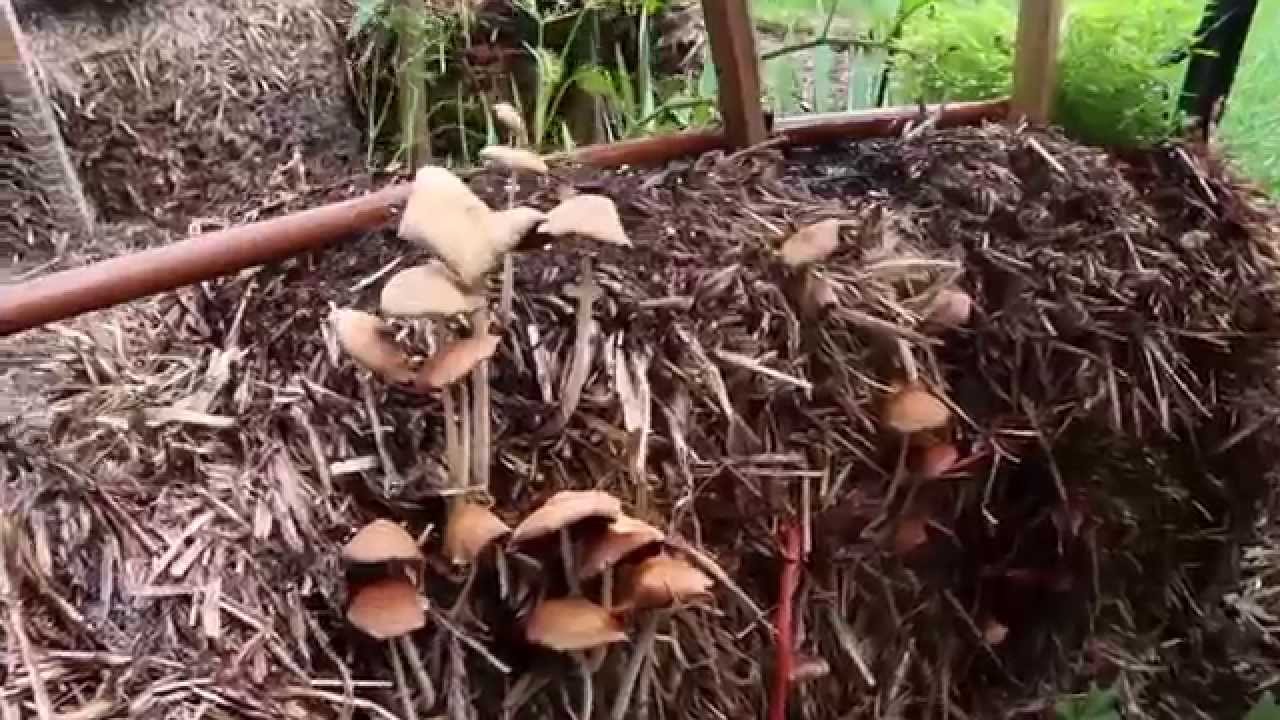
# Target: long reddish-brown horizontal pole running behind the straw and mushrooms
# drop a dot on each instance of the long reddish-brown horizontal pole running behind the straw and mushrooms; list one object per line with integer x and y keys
{"x": 131, "y": 277}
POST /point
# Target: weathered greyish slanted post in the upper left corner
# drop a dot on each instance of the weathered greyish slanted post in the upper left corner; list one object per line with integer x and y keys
{"x": 38, "y": 129}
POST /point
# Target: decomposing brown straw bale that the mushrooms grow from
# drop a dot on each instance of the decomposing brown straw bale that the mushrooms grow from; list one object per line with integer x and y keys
{"x": 175, "y": 523}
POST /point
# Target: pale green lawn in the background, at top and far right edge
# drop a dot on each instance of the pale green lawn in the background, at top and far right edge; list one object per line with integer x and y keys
{"x": 1251, "y": 129}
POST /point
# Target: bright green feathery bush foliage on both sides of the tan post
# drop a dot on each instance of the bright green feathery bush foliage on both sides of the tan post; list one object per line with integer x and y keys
{"x": 1117, "y": 85}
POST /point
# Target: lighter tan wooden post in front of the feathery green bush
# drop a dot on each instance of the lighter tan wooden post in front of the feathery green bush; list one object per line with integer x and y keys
{"x": 1036, "y": 61}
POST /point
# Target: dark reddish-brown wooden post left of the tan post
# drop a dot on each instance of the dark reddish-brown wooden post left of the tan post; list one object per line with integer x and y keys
{"x": 738, "y": 71}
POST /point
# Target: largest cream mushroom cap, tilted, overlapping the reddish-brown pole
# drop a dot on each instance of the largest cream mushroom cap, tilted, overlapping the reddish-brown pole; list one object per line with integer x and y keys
{"x": 445, "y": 217}
